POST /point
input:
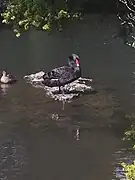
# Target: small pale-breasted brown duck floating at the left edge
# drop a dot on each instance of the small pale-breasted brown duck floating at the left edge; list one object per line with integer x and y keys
{"x": 7, "y": 78}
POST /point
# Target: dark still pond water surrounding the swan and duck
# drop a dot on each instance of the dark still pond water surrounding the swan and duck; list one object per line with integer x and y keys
{"x": 37, "y": 138}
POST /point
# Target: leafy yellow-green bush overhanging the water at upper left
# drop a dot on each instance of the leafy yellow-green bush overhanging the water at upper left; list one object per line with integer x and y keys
{"x": 43, "y": 15}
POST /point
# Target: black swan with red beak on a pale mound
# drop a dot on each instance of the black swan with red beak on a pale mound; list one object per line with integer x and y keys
{"x": 65, "y": 74}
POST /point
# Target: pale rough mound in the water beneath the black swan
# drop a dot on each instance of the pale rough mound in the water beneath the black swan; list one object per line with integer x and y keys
{"x": 72, "y": 90}
